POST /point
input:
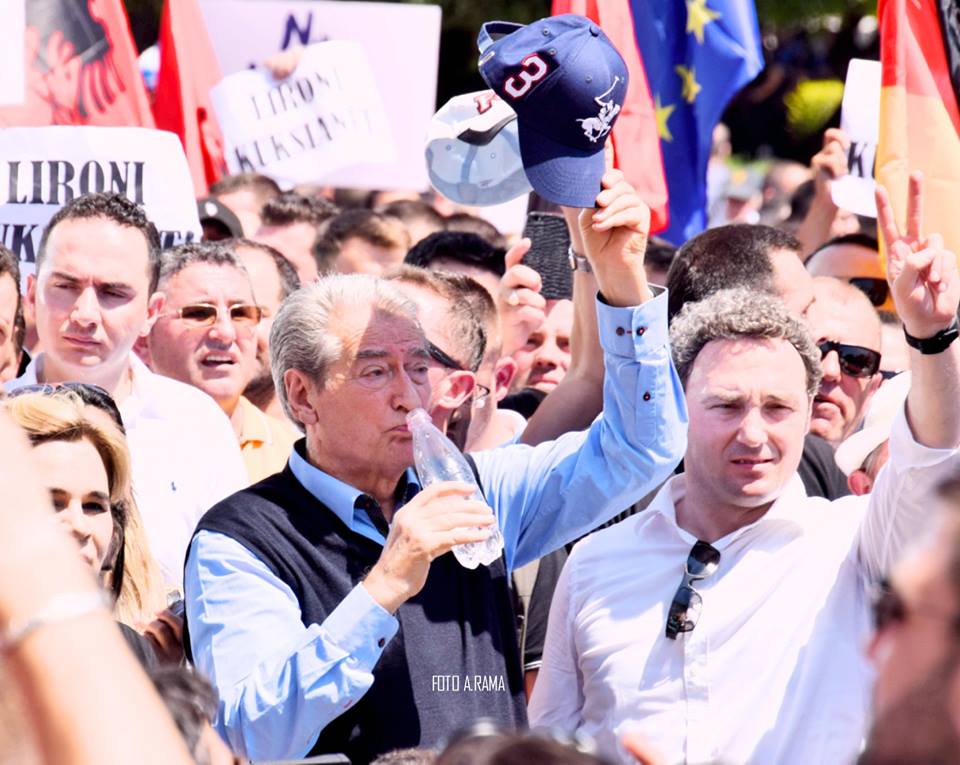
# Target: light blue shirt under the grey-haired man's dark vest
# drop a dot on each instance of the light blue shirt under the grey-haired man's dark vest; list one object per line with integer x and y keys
{"x": 281, "y": 683}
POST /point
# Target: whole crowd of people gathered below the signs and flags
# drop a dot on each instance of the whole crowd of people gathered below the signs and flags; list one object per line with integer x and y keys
{"x": 726, "y": 477}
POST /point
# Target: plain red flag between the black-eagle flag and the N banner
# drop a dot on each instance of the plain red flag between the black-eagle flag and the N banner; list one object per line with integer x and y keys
{"x": 188, "y": 69}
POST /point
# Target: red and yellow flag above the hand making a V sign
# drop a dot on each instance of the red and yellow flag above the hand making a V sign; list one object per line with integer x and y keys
{"x": 919, "y": 117}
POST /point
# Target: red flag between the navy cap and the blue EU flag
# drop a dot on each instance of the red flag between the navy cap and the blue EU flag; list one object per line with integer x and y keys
{"x": 636, "y": 142}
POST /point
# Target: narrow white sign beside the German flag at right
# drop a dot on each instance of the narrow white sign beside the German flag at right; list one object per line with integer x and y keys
{"x": 860, "y": 119}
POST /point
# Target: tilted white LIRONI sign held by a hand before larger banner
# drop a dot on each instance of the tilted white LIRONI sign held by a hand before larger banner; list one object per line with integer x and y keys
{"x": 325, "y": 116}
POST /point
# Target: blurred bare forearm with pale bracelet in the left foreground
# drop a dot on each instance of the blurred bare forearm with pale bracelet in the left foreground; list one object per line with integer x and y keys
{"x": 86, "y": 698}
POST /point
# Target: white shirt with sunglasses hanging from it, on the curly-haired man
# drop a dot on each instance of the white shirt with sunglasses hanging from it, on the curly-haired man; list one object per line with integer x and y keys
{"x": 774, "y": 671}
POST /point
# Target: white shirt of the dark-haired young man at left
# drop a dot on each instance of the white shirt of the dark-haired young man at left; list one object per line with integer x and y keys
{"x": 185, "y": 457}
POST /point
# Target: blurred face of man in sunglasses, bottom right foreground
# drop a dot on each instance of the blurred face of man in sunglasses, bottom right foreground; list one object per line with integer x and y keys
{"x": 916, "y": 647}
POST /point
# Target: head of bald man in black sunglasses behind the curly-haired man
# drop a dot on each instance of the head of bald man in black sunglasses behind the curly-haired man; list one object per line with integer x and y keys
{"x": 847, "y": 329}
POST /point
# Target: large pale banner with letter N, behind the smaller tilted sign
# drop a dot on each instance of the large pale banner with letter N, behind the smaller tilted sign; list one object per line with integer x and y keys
{"x": 401, "y": 43}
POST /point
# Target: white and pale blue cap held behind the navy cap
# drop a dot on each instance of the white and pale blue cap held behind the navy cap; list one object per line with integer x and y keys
{"x": 473, "y": 153}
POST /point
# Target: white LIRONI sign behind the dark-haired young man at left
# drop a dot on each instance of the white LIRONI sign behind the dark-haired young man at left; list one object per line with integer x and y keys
{"x": 43, "y": 168}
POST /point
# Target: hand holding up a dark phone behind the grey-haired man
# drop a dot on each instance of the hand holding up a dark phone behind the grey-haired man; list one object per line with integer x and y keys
{"x": 521, "y": 307}
